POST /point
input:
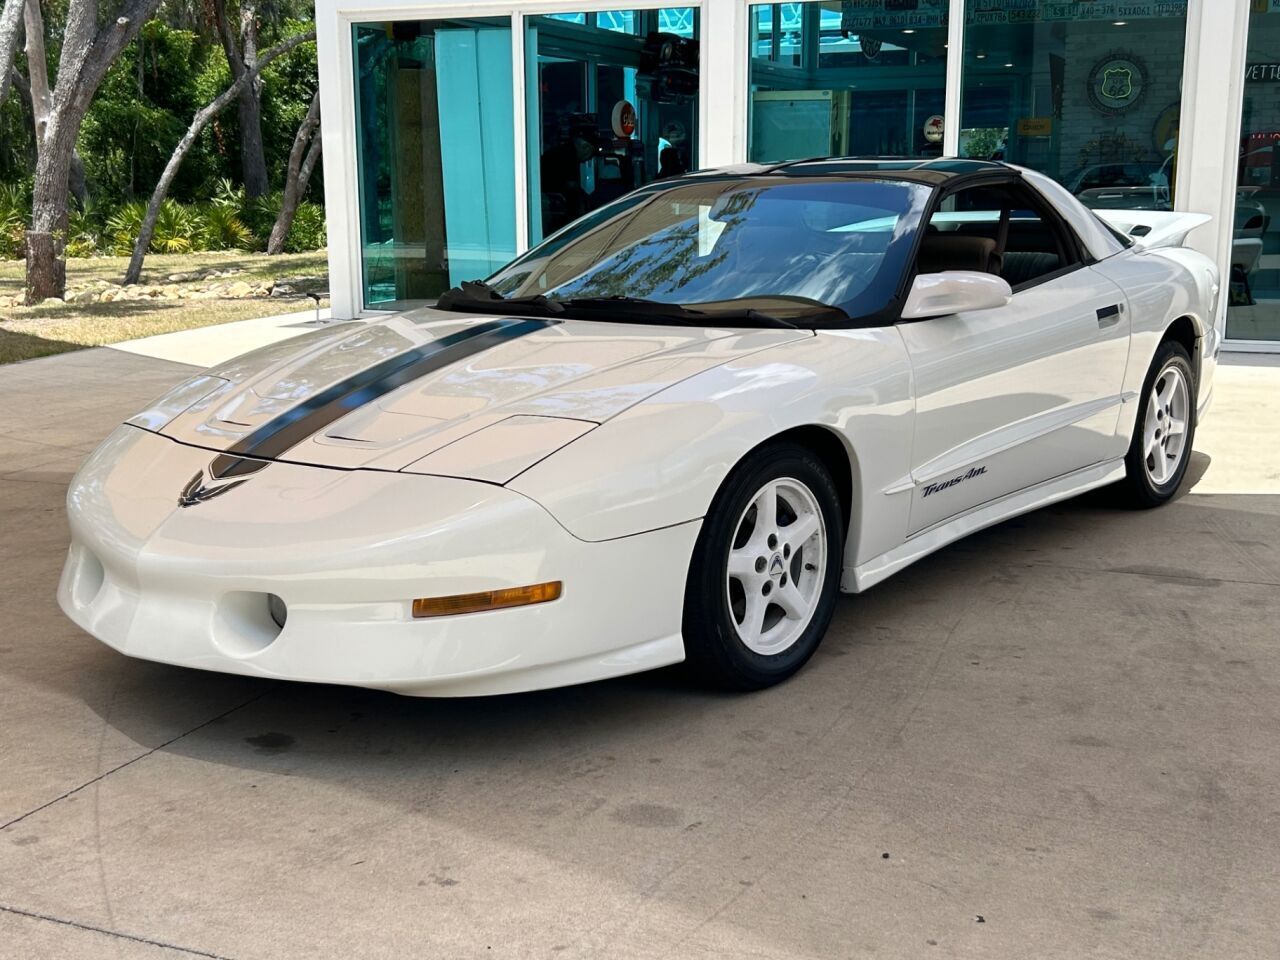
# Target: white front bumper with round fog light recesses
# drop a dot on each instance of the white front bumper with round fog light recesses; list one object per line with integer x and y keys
{"x": 348, "y": 552}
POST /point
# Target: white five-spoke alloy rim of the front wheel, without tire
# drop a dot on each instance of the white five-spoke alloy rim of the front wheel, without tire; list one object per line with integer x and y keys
{"x": 778, "y": 564}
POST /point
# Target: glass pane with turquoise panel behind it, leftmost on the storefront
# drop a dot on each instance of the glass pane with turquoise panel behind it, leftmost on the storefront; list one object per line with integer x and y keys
{"x": 435, "y": 131}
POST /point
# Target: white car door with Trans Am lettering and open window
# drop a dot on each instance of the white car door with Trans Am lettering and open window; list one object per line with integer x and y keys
{"x": 1013, "y": 397}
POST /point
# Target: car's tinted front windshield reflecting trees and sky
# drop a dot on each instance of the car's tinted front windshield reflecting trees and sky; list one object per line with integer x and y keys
{"x": 787, "y": 246}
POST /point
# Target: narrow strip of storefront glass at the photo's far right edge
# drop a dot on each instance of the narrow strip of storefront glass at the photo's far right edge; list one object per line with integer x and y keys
{"x": 1254, "y": 309}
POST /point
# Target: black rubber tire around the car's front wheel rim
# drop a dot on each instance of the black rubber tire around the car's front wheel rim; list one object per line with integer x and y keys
{"x": 716, "y": 653}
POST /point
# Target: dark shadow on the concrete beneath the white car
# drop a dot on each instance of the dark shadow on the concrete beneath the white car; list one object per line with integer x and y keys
{"x": 333, "y": 732}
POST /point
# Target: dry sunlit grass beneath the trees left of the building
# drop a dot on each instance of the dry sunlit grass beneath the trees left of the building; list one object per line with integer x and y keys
{"x": 43, "y": 331}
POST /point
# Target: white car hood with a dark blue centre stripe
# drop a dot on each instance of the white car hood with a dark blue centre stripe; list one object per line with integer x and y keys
{"x": 442, "y": 394}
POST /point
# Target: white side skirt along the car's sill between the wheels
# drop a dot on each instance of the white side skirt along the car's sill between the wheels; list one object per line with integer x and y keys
{"x": 926, "y": 542}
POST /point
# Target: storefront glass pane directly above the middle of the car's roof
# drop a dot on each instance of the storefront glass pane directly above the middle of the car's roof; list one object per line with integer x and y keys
{"x": 847, "y": 79}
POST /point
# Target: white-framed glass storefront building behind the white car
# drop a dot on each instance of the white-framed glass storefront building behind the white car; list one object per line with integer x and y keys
{"x": 468, "y": 135}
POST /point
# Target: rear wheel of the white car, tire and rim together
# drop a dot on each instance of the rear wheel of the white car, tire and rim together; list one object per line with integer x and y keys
{"x": 1163, "y": 437}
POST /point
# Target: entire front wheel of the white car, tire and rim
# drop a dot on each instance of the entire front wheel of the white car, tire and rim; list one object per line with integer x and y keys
{"x": 766, "y": 572}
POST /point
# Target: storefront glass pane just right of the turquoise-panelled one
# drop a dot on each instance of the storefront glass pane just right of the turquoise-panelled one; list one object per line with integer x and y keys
{"x": 612, "y": 104}
